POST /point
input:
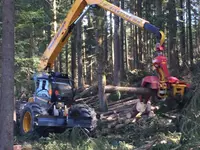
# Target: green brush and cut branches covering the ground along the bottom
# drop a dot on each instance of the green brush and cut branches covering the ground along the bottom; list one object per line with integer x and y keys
{"x": 131, "y": 136}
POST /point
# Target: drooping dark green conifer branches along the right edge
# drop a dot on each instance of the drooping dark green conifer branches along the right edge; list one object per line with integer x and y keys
{"x": 190, "y": 116}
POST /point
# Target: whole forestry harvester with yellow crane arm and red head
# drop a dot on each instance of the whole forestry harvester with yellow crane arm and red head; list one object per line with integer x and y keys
{"x": 52, "y": 104}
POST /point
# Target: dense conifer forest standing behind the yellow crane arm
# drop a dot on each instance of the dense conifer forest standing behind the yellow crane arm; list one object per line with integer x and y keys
{"x": 103, "y": 41}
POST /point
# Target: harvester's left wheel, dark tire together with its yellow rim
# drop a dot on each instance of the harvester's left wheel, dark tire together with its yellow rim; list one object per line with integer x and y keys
{"x": 28, "y": 117}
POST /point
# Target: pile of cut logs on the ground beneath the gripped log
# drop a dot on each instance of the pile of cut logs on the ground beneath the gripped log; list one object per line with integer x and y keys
{"x": 120, "y": 113}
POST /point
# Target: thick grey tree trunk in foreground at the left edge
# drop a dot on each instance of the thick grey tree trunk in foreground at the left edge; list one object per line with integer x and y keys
{"x": 7, "y": 79}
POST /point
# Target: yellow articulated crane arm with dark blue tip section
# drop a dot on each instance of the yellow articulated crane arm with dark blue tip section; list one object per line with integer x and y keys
{"x": 75, "y": 14}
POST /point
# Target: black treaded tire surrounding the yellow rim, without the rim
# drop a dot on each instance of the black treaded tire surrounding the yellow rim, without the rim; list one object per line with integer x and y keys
{"x": 34, "y": 109}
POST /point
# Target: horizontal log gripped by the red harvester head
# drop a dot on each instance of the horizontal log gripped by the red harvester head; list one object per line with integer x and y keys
{"x": 135, "y": 90}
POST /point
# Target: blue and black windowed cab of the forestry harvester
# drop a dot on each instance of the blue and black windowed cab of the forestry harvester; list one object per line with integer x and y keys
{"x": 54, "y": 87}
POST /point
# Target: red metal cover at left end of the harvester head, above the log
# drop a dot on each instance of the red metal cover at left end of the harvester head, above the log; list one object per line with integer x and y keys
{"x": 152, "y": 80}
